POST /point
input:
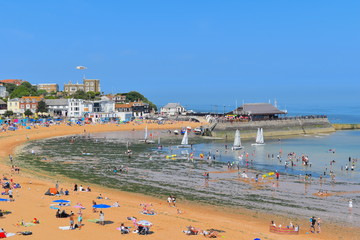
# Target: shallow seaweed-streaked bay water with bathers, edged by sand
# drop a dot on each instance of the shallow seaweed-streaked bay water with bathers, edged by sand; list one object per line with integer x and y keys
{"x": 150, "y": 172}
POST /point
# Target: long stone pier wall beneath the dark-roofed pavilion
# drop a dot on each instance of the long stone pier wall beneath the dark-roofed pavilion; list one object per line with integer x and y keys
{"x": 273, "y": 128}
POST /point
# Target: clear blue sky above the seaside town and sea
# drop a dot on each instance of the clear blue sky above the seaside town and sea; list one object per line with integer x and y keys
{"x": 198, "y": 53}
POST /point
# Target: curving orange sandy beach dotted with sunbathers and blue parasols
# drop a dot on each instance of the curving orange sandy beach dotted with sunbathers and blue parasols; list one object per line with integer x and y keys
{"x": 30, "y": 202}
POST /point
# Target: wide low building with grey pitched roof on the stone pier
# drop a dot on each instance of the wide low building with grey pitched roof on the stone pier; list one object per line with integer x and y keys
{"x": 258, "y": 111}
